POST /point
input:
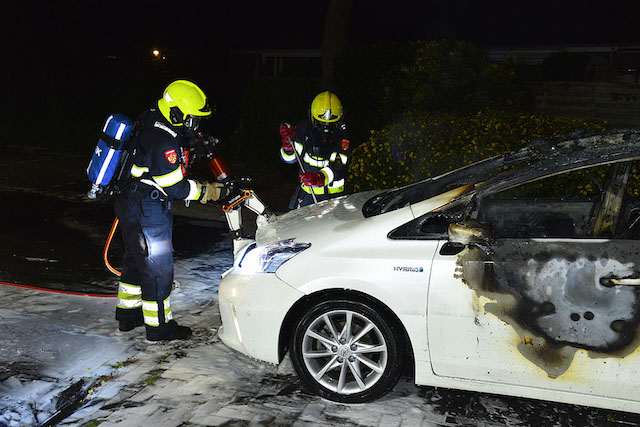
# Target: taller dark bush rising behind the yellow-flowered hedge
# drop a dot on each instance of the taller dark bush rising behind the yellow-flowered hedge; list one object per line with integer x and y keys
{"x": 379, "y": 84}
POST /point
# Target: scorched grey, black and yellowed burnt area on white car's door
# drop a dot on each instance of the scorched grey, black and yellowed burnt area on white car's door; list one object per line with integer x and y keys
{"x": 555, "y": 295}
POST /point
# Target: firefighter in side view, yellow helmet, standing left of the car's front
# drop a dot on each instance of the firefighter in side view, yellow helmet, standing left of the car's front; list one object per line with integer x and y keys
{"x": 162, "y": 142}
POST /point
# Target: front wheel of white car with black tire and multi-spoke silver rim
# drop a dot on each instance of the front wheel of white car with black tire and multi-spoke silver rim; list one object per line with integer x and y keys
{"x": 346, "y": 352}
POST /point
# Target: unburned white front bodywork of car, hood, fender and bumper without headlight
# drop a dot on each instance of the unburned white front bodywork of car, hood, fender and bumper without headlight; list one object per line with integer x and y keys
{"x": 347, "y": 256}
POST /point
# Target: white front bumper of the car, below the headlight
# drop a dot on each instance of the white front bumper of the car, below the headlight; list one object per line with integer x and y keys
{"x": 253, "y": 307}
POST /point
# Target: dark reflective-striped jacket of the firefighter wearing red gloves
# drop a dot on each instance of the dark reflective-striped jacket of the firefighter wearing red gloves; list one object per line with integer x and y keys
{"x": 319, "y": 152}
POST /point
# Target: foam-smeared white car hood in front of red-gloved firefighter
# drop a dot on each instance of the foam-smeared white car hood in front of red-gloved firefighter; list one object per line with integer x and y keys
{"x": 313, "y": 219}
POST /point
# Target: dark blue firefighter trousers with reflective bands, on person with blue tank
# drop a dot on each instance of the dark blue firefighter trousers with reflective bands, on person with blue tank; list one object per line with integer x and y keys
{"x": 147, "y": 265}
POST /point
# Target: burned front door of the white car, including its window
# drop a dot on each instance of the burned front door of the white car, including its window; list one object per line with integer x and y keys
{"x": 534, "y": 300}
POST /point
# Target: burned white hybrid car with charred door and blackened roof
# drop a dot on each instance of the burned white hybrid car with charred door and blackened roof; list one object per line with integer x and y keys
{"x": 517, "y": 275}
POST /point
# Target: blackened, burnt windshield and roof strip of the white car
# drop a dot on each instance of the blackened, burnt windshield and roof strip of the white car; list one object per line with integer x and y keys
{"x": 540, "y": 157}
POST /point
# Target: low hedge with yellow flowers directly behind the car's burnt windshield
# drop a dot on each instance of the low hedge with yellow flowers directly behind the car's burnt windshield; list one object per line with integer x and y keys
{"x": 428, "y": 144}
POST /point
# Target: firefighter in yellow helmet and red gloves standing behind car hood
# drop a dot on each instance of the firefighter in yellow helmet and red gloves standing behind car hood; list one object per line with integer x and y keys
{"x": 322, "y": 145}
